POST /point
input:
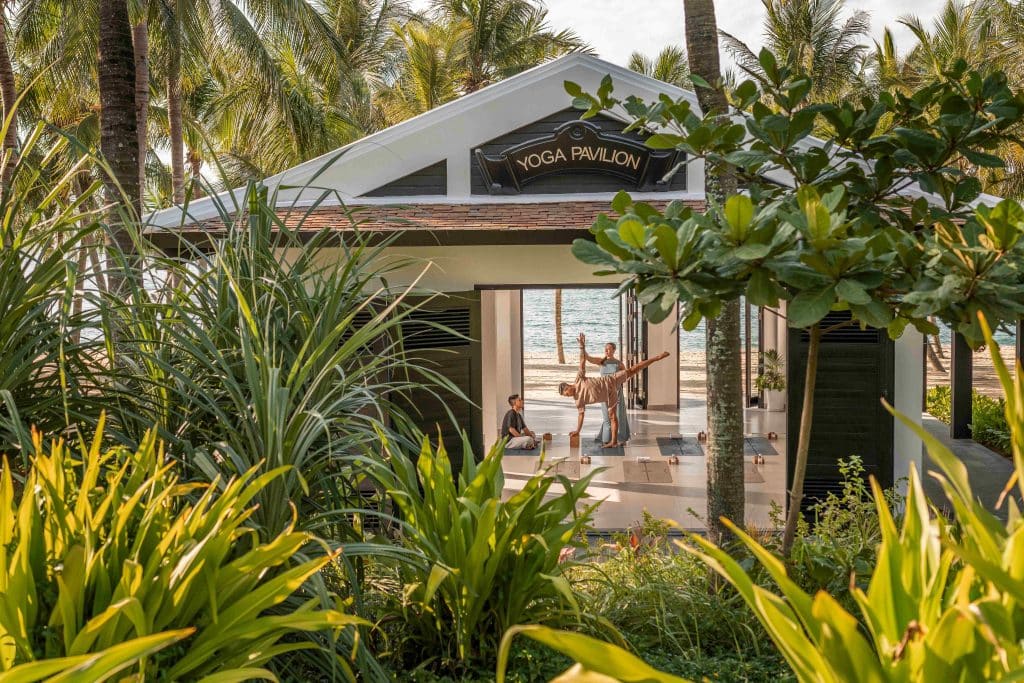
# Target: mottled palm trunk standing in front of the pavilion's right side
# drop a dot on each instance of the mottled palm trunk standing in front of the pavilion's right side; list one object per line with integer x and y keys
{"x": 727, "y": 495}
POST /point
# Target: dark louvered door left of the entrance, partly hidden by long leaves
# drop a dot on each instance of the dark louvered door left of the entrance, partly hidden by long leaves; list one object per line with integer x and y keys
{"x": 445, "y": 336}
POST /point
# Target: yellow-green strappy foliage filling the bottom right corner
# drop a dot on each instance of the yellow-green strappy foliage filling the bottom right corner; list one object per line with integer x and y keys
{"x": 944, "y": 600}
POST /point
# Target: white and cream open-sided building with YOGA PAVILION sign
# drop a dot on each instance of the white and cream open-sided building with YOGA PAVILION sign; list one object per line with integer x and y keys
{"x": 490, "y": 191}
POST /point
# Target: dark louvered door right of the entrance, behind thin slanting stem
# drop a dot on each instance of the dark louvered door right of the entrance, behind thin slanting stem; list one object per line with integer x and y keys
{"x": 856, "y": 372}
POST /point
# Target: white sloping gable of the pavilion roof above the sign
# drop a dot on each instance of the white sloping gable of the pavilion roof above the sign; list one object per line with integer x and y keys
{"x": 448, "y": 133}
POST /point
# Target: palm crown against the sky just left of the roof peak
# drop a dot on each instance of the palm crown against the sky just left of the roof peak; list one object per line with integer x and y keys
{"x": 504, "y": 37}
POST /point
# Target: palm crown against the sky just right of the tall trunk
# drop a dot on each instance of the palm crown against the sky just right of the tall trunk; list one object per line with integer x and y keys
{"x": 812, "y": 37}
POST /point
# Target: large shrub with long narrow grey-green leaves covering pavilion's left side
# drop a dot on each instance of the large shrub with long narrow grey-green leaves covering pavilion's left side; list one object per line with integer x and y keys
{"x": 264, "y": 352}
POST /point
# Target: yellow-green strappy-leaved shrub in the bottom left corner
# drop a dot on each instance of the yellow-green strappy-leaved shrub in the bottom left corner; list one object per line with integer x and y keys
{"x": 109, "y": 548}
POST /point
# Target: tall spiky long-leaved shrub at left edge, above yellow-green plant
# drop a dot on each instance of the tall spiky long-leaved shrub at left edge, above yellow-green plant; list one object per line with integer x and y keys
{"x": 45, "y": 241}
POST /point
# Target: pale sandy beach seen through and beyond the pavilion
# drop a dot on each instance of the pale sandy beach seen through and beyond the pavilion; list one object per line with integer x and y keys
{"x": 543, "y": 373}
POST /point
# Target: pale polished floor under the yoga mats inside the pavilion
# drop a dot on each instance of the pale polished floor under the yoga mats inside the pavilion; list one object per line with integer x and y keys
{"x": 635, "y": 483}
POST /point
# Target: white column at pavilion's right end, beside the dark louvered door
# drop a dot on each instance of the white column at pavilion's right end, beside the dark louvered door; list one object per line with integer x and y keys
{"x": 910, "y": 382}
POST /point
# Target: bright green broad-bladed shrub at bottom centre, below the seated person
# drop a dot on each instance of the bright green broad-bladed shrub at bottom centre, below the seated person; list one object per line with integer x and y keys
{"x": 486, "y": 564}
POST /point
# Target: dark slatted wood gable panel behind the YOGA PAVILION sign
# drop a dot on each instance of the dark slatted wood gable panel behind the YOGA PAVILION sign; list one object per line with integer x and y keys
{"x": 560, "y": 185}
